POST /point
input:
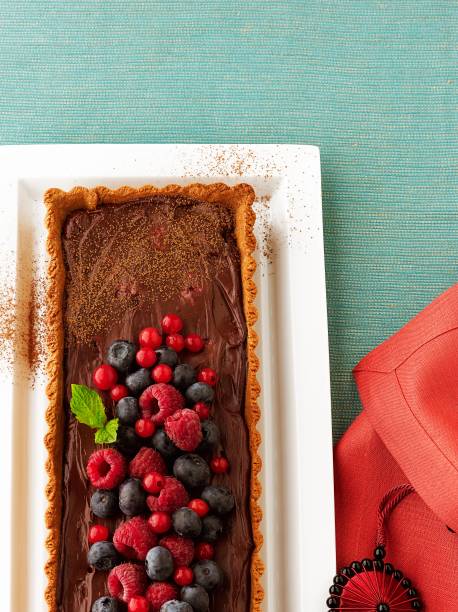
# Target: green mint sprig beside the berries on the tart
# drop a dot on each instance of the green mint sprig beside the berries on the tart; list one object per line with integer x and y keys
{"x": 87, "y": 406}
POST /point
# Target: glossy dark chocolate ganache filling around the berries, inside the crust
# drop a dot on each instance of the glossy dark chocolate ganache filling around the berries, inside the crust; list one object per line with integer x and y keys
{"x": 126, "y": 266}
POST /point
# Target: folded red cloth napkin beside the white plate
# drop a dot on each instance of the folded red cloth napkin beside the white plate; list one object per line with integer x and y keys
{"x": 407, "y": 433}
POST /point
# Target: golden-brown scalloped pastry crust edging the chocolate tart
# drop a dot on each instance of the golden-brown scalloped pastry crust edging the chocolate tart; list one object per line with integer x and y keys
{"x": 58, "y": 205}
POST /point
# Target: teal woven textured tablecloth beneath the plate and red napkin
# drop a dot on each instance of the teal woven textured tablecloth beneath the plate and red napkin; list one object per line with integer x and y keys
{"x": 374, "y": 84}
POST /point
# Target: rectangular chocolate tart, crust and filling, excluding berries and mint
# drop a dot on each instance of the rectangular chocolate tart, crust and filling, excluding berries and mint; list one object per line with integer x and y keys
{"x": 117, "y": 260}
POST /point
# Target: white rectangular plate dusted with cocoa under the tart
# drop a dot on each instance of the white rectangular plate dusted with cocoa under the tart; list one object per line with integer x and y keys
{"x": 297, "y": 480}
